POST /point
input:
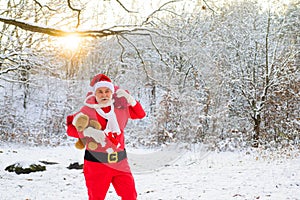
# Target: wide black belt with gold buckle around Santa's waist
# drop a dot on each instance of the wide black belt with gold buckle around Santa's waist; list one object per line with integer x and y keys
{"x": 105, "y": 157}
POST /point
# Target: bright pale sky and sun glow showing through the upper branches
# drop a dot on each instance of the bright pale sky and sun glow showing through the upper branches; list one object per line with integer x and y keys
{"x": 107, "y": 13}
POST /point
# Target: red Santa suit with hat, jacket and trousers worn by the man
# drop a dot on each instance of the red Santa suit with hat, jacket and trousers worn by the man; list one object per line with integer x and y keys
{"x": 107, "y": 163}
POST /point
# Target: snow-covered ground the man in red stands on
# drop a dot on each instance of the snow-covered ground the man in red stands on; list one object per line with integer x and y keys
{"x": 167, "y": 175}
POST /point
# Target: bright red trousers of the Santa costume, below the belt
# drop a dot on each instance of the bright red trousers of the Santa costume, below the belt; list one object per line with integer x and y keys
{"x": 98, "y": 177}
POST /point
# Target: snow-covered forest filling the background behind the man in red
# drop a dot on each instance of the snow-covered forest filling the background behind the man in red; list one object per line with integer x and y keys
{"x": 222, "y": 73}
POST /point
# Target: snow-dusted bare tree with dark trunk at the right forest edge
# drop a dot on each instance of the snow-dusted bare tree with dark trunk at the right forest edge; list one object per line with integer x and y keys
{"x": 254, "y": 62}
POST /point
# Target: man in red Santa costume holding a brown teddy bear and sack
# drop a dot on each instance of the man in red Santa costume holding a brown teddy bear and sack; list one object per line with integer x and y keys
{"x": 100, "y": 123}
